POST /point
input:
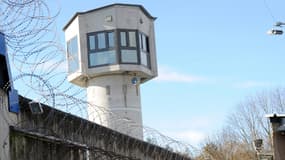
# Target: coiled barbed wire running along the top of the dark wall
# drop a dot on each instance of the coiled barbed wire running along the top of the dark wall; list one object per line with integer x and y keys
{"x": 38, "y": 60}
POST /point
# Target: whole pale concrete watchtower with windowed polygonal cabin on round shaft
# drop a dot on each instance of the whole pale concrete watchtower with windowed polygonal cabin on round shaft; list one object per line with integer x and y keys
{"x": 111, "y": 51}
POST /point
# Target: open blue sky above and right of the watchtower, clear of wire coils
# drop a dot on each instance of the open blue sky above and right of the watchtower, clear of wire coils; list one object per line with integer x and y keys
{"x": 211, "y": 56}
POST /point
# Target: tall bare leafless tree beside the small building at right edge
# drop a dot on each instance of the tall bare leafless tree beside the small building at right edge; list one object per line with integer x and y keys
{"x": 249, "y": 121}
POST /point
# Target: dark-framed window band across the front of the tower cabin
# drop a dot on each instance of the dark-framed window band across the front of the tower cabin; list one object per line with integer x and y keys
{"x": 120, "y": 46}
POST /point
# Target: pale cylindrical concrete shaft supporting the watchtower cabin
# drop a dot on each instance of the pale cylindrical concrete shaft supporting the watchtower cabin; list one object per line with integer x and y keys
{"x": 115, "y": 102}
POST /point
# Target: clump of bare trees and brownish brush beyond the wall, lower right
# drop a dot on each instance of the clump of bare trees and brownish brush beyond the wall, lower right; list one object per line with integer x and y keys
{"x": 246, "y": 124}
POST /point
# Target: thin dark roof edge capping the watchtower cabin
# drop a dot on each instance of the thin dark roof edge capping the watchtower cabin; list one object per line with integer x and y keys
{"x": 108, "y": 6}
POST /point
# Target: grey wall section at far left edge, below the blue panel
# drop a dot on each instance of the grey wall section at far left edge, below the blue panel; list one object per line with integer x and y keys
{"x": 6, "y": 119}
